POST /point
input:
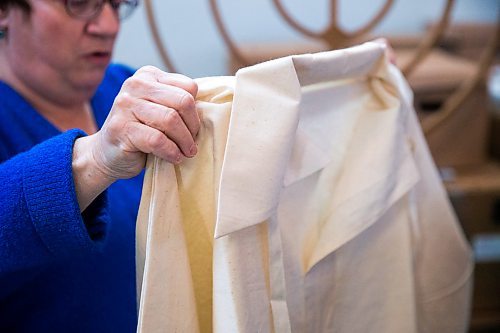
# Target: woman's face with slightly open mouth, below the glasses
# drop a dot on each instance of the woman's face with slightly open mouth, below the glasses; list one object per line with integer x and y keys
{"x": 54, "y": 54}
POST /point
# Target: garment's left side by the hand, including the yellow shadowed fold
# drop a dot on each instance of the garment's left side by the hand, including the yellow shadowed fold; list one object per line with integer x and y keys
{"x": 176, "y": 223}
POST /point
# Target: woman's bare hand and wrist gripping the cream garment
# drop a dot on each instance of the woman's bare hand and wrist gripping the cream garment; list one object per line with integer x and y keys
{"x": 154, "y": 112}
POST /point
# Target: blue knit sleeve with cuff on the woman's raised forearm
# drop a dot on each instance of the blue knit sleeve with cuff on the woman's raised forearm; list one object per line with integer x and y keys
{"x": 40, "y": 219}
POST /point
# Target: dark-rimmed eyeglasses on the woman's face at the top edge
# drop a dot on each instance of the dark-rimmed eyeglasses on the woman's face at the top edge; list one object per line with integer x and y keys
{"x": 89, "y": 9}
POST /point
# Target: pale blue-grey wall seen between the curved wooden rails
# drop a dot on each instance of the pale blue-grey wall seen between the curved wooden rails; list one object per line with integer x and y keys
{"x": 189, "y": 32}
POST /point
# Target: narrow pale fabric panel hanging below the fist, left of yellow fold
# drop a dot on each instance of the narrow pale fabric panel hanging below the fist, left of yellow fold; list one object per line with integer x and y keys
{"x": 167, "y": 293}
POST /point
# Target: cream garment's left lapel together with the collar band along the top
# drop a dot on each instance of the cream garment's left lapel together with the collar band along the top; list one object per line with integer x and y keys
{"x": 267, "y": 117}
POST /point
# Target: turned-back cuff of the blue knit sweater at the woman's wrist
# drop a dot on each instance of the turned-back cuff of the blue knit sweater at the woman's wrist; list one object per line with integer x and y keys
{"x": 51, "y": 199}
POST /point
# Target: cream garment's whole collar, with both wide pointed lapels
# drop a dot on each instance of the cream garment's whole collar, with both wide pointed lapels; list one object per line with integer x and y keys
{"x": 278, "y": 152}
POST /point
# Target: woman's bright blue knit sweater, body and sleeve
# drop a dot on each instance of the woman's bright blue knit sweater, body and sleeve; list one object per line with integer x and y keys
{"x": 62, "y": 271}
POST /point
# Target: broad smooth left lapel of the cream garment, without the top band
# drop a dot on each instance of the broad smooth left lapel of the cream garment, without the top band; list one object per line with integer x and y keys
{"x": 263, "y": 107}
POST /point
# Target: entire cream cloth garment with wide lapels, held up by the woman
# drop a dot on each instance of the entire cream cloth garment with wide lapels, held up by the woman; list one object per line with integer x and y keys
{"x": 313, "y": 205}
